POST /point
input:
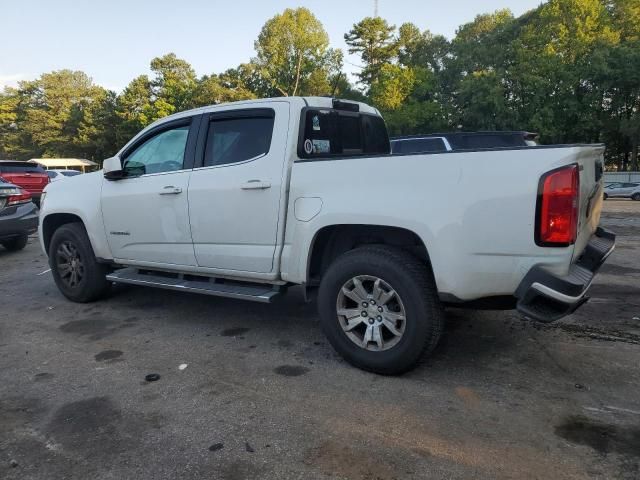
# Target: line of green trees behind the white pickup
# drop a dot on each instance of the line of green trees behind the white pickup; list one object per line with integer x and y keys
{"x": 568, "y": 70}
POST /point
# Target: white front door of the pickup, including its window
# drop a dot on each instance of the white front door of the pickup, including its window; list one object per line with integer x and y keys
{"x": 146, "y": 214}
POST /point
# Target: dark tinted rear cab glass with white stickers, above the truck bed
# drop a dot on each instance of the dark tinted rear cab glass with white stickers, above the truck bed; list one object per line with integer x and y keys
{"x": 327, "y": 133}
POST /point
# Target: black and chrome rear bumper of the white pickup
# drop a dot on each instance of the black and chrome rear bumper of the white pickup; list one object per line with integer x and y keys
{"x": 546, "y": 297}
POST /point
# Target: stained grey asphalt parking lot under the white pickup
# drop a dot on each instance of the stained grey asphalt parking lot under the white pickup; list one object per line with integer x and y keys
{"x": 263, "y": 395}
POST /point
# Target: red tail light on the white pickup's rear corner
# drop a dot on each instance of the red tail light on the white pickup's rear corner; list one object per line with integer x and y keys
{"x": 557, "y": 210}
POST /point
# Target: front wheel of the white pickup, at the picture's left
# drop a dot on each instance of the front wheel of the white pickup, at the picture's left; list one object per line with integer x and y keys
{"x": 73, "y": 264}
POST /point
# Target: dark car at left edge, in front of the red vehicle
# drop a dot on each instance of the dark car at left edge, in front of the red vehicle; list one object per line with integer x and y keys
{"x": 18, "y": 216}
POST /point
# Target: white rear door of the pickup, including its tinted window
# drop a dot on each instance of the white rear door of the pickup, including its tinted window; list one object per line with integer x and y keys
{"x": 236, "y": 190}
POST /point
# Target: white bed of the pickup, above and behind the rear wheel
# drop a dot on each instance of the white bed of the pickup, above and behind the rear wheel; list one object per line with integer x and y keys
{"x": 474, "y": 210}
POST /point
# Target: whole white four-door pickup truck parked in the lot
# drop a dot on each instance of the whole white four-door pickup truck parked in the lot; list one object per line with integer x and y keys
{"x": 243, "y": 200}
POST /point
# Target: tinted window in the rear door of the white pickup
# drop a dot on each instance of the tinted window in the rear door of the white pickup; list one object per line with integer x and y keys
{"x": 235, "y": 140}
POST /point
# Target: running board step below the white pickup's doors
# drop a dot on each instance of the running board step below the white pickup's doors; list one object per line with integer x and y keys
{"x": 195, "y": 284}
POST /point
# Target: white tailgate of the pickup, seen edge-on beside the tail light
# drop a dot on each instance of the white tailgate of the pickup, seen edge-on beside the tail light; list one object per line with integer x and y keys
{"x": 590, "y": 160}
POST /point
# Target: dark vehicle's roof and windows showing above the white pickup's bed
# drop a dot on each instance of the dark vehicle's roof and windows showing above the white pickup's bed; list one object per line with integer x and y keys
{"x": 447, "y": 142}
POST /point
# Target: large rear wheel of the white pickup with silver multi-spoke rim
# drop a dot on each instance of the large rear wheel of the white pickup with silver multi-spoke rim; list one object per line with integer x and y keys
{"x": 379, "y": 308}
